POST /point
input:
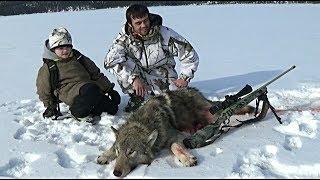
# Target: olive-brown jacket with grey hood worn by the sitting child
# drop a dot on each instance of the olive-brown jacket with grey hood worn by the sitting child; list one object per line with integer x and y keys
{"x": 72, "y": 76}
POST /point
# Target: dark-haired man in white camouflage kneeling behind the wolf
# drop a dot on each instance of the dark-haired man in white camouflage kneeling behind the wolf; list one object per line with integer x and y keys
{"x": 142, "y": 57}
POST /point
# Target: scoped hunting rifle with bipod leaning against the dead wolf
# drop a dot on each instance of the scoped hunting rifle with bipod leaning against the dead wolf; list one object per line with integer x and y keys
{"x": 227, "y": 108}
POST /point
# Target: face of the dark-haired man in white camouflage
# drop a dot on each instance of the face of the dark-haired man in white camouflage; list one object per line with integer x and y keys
{"x": 141, "y": 25}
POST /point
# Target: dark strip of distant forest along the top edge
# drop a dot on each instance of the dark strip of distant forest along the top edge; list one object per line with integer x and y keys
{"x": 8, "y": 8}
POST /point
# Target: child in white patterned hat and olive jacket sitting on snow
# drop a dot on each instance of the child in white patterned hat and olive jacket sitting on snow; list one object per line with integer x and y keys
{"x": 81, "y": 85}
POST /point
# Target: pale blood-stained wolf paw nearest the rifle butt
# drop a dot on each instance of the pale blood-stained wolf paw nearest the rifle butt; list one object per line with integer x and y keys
{"x": 183, "y": 155}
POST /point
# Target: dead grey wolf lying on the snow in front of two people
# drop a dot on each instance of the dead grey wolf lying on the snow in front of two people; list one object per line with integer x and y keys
{"x": 160, "y": 122}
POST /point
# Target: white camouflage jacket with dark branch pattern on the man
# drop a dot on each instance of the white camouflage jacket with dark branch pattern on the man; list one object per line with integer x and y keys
{"x": 151, "y": 58}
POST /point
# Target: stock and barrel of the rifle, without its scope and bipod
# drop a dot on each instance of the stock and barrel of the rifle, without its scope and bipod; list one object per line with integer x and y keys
{"x": 200, "y": 138}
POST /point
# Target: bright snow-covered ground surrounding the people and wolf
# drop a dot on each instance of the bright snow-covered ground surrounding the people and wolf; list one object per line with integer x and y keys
{"x": 237, "y": 45}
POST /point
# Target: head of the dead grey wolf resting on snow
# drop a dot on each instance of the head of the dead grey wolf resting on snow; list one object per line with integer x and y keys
{"x": 132, "y": 150}
